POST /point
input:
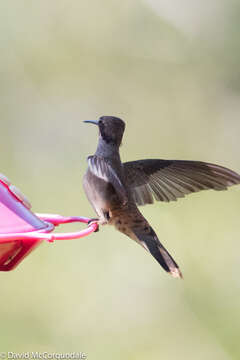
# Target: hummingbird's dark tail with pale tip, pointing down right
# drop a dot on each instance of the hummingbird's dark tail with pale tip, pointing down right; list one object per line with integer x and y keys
{"x": 149, "y": 240}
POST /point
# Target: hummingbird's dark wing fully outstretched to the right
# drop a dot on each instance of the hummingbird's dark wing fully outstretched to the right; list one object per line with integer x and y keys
{"x": 167, "y": 180}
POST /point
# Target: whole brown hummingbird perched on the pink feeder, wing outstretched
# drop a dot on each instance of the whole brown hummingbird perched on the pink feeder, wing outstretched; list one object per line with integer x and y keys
{"x": 116, "y": 189}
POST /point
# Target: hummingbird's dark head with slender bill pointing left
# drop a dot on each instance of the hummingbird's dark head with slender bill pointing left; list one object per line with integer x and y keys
{"x": 111, "y": 129}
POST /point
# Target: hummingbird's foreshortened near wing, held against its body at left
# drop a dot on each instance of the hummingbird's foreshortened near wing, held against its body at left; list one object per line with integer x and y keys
{"x": 103, "y": 170}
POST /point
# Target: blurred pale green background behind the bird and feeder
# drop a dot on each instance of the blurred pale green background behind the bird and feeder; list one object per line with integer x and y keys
{"x": 171, "y": 71}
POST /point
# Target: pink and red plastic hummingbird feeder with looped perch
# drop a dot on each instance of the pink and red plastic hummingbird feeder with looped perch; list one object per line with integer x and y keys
{"x": 21, "y": 231}
